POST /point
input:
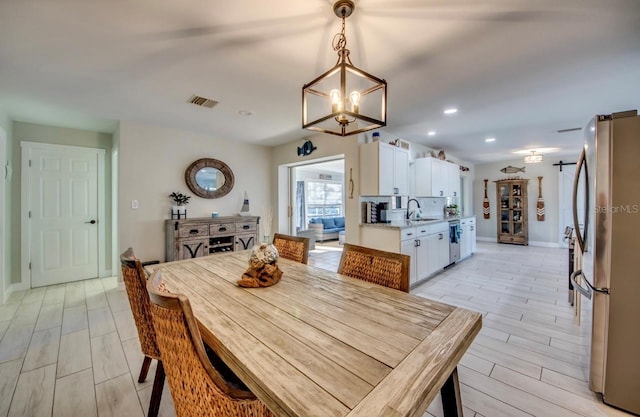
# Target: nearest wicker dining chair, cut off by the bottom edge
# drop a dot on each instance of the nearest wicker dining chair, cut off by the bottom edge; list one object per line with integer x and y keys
{"x": 197, "y": 387}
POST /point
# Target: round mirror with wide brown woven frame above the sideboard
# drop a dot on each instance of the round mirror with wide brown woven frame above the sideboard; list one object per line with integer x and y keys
{"x": 209, "y": 178}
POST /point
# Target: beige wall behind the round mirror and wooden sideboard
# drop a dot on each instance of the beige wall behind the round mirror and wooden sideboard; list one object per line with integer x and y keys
{"x": 151, "y": 164}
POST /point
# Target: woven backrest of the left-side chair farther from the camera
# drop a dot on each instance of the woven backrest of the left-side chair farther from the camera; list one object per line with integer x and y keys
{"x": 135, "y": 281}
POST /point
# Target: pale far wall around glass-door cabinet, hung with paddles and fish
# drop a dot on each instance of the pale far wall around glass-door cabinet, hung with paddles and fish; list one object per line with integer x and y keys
{"x": 545, "y": 232}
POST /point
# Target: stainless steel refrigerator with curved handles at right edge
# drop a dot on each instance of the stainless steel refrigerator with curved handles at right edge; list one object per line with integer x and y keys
{"x": 608, "y": 235}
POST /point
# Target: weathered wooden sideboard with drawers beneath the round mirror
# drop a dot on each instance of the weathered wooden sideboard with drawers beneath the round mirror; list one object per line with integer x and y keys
{"x": 191, "y": 238}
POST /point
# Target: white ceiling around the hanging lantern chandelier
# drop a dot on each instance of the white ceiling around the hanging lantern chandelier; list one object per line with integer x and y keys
{"x": 517, "y": 70}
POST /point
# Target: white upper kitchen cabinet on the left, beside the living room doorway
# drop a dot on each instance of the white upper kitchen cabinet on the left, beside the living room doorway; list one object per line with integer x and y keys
{"x": 384, "y": 169}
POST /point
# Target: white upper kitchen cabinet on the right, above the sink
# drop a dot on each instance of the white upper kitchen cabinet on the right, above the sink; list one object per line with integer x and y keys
{"x": 436, "y": 178}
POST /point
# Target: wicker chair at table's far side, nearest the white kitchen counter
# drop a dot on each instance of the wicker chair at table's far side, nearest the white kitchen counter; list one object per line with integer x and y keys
{"x": 380, "y": 267}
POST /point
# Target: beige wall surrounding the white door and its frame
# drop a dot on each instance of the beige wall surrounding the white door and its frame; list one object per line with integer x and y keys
{"x": 59, "y": 136}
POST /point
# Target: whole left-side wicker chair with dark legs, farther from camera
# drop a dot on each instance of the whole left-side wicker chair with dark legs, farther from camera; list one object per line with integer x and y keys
{"x": 135, "y": 281}
